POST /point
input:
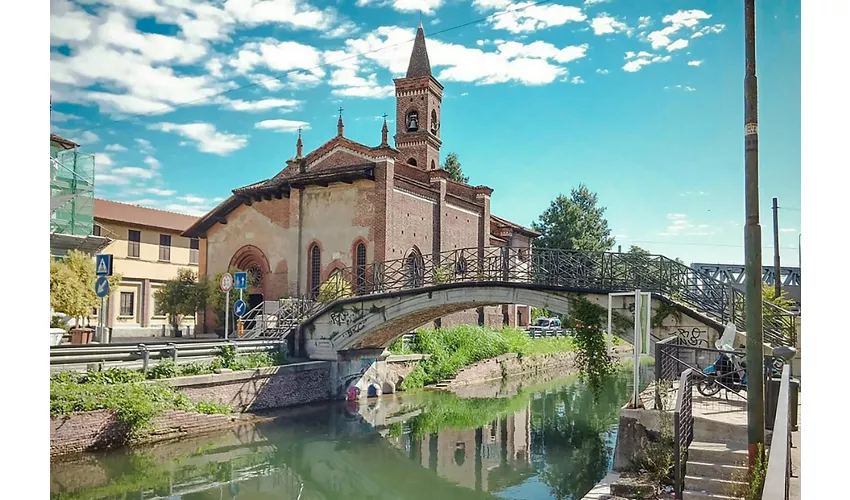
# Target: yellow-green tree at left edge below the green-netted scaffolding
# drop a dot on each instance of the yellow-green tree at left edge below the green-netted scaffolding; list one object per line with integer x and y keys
{"x": 72, "y": 280}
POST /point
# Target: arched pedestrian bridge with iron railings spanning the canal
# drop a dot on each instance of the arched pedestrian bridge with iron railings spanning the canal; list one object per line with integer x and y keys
{"x": 374, "y": 304}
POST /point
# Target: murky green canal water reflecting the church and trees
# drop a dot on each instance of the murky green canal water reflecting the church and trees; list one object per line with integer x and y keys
{"x": 541, "y": 440}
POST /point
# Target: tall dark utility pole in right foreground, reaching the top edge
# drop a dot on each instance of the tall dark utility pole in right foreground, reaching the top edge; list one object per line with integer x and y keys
{"x": 752, "y": 243}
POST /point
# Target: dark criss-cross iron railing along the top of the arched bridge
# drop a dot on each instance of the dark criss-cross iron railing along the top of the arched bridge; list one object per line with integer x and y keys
{"x": 602, "y": 272}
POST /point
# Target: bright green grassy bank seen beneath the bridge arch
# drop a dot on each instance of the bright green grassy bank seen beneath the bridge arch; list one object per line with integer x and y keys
{"x": 453, "y": 349}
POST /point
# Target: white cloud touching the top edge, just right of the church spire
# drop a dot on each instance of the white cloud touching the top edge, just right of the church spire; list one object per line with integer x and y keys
{"x": 524, "y": 17}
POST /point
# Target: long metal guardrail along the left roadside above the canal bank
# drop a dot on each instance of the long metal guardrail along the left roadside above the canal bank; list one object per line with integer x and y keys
{"x": 140, "y": 355}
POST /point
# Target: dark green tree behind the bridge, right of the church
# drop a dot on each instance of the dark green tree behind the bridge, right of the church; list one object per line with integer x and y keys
{"x": 574, "y": 223}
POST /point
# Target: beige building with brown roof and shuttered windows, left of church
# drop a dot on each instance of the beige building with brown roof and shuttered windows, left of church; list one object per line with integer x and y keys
{"x": 147, "y": 249}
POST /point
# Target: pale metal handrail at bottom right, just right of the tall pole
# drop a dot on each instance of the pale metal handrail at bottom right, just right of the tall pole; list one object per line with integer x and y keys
{"x": 777, "y": 480}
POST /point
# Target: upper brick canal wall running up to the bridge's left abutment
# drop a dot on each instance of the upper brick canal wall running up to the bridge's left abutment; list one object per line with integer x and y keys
{"x": 261, "y": 389}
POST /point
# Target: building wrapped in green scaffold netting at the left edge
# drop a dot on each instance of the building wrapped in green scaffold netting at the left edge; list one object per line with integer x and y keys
{"x": 71, "y": 199}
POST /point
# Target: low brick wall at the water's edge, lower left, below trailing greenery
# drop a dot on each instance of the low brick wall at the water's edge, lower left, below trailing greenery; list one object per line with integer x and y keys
{"x": 100, "y": 429}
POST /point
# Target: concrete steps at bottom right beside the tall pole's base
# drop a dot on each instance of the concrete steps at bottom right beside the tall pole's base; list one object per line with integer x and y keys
{"x": 714, "y": 470}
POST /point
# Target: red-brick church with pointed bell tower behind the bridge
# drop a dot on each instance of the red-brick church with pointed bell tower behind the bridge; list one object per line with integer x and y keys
{"x": 346, "y": 204}
